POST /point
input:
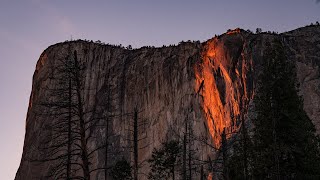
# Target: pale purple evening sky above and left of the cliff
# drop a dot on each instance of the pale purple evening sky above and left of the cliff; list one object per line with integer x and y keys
{"x": 27, "y": 27}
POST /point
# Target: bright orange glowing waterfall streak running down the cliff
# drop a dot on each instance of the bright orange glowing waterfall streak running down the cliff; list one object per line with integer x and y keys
{"x": 221, "y": 109}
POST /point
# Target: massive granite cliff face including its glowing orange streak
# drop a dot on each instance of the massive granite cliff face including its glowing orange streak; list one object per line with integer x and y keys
{"x": 208, "y": 85}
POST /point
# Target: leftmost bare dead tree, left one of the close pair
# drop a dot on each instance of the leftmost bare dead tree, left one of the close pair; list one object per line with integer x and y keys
{"x": 59, "y": 136}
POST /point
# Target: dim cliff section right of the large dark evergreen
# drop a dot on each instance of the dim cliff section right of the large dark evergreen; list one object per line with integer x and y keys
{"x": 304, "y": 45}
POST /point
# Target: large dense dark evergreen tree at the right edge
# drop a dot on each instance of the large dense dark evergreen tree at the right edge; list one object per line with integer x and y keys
{"x": 285, "y": 144}
